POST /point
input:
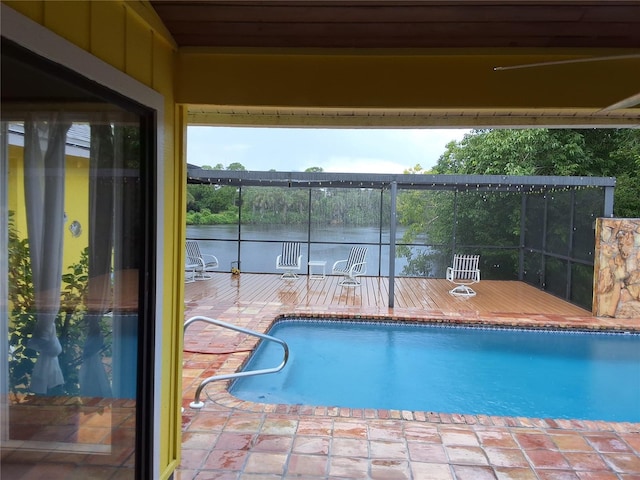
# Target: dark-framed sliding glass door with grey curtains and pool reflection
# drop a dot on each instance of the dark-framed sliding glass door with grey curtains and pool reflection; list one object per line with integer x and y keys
{"x": 77, "y": 265}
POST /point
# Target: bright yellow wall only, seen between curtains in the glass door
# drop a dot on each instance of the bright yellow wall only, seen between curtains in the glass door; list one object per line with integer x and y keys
{"x": 76, "y": 201}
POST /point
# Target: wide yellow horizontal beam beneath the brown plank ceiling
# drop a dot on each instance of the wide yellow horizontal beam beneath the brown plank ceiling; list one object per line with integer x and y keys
{"x": 429, "y": 79}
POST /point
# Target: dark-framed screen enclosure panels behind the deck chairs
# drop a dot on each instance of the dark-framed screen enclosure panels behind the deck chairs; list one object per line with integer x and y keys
{"x": 540, "y": 230}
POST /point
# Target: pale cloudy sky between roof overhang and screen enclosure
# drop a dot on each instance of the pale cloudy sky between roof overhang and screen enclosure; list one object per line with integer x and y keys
{"x": 335, "y": 150}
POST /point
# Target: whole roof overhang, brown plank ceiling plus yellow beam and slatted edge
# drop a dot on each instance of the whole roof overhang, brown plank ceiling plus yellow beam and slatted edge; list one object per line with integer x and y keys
{"x": 406, "y": 63}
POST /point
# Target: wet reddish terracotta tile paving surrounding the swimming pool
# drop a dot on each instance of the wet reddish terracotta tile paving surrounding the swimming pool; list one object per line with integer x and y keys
{"x": 234, "y": 439}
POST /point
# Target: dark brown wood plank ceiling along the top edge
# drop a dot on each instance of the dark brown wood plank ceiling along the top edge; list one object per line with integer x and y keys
{"x": 402, "y": 24}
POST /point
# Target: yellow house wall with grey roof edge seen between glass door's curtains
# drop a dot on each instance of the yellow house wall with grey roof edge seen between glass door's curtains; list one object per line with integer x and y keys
{"x": 76, "y": 194}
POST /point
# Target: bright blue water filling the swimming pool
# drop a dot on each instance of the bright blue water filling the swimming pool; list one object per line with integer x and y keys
{"x": 467, "y": 370}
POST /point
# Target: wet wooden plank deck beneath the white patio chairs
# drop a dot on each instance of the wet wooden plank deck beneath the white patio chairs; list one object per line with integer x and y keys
{"x": 266, "y": 296}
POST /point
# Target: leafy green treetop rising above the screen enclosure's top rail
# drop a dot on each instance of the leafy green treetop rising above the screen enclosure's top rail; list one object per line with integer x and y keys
{"x": 587, "y": 152}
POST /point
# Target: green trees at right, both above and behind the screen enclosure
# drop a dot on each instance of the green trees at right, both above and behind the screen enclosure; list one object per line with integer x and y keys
{"x": 491, "y": 224}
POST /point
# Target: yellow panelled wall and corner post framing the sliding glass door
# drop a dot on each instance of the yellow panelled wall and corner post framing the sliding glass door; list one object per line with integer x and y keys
{"x": 128, "y": 36}
